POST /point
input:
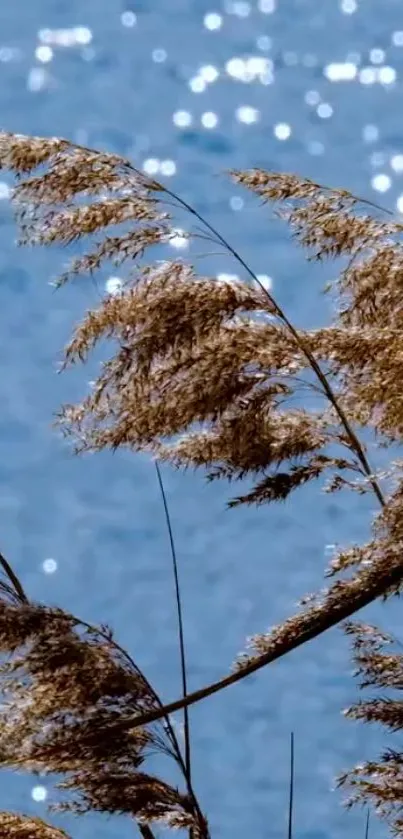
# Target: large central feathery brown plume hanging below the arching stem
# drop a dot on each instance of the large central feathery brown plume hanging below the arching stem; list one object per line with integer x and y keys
{"x": 187, "y": 356}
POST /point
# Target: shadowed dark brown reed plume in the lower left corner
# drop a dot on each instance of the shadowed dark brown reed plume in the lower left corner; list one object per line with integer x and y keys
{"x": 64, "y": 689}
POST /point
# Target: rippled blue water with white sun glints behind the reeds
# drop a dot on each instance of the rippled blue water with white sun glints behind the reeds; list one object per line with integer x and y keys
{"x": 116, "y": 78}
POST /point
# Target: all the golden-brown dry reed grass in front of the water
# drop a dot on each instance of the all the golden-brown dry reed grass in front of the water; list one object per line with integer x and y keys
{"x": 204, "y": 373}
